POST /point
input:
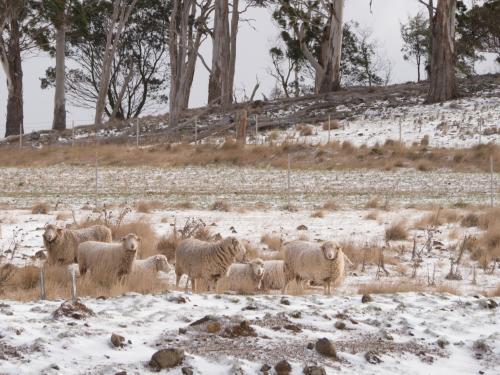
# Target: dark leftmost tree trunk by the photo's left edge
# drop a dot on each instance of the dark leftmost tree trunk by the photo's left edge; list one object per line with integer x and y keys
{"x": 15, "y": 115}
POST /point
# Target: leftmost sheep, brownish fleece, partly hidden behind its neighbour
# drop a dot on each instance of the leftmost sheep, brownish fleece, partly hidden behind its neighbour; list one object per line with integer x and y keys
{"x": 62, "y": 244}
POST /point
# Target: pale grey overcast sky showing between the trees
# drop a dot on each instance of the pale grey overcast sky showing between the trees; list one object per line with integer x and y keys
{"x": 252, "y": 60}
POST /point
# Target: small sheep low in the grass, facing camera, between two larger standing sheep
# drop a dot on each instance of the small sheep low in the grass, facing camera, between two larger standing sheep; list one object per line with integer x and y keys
{"x": 244, "y": 277}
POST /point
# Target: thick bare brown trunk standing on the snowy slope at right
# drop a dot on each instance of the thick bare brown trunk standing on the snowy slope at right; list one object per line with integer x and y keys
{"x": 442, "y": 79}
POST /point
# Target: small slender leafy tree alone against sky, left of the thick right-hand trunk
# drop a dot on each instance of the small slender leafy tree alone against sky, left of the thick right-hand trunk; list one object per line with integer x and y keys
{"x": 415, "y": 35}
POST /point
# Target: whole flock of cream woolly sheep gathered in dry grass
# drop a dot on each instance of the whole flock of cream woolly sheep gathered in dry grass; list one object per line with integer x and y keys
{"x": 216, "y": 265}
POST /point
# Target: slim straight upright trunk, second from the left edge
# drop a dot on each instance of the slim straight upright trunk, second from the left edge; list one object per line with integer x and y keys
{"x": 59, "y": 122}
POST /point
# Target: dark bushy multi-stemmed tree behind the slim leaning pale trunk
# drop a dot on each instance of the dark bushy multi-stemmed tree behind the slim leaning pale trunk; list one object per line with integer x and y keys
{"x": 139, "y": 74}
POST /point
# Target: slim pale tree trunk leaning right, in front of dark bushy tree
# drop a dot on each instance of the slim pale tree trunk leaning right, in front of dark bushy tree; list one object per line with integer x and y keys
{"x": 116, "y": 25}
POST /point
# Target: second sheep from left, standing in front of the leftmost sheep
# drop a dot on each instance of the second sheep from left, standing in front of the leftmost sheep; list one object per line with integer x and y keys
{"x": 114, "y": 258}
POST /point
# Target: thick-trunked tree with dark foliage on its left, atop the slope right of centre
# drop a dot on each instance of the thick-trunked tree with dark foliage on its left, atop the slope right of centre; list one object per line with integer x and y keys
{"x": 317, "y": 32}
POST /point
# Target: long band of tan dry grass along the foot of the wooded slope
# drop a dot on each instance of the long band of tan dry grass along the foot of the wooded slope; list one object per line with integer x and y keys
{"x": 337, "y": 156}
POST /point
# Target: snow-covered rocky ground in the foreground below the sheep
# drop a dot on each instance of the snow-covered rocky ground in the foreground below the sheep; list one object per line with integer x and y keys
{"x": 408, "y": 333}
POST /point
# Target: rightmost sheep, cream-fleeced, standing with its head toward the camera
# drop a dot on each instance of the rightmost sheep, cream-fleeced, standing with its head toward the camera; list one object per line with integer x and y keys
{"x": 307, "y": 261}
